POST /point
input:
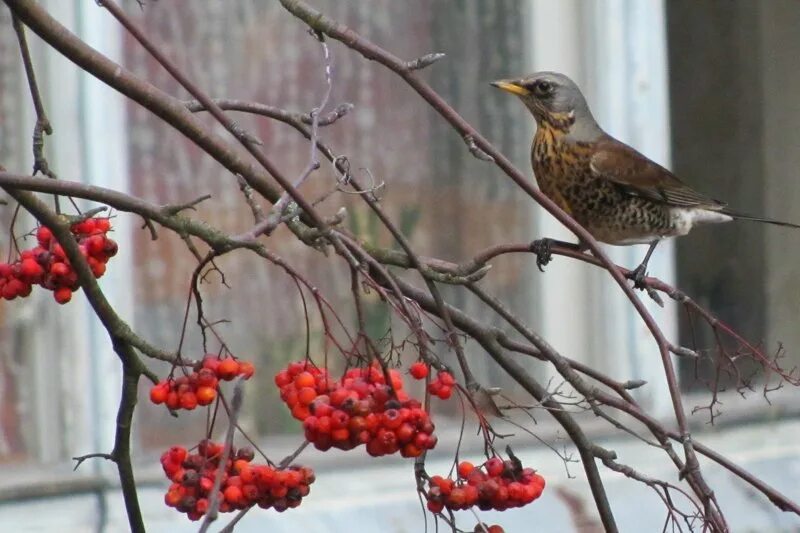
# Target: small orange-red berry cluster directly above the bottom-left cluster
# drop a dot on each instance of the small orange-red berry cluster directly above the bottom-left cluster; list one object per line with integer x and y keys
{"x": 199, "y": 387}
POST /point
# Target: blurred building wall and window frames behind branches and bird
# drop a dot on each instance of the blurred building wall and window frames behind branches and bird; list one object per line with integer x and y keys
{"x": 709, "y": 89}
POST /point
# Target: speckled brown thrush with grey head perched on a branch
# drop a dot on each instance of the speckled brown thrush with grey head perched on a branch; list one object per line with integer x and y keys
{"x": 620, "y": 196}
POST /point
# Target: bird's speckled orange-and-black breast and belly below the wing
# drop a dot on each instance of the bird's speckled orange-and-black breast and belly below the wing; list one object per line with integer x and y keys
{"x": 562, "y": 171}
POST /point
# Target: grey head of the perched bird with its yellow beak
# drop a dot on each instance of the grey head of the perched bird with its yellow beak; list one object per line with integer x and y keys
{"x": 551, "y": 97}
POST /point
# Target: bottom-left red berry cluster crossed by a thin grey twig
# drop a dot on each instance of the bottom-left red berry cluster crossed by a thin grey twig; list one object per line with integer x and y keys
{"x": 243, "y": 484}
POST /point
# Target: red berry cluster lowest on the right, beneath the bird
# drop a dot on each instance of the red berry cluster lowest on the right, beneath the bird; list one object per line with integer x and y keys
{"x": 500, "y": 485}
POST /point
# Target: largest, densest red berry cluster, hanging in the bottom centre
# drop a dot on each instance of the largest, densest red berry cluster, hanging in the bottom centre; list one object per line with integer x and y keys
{"x": 358, "y": 409}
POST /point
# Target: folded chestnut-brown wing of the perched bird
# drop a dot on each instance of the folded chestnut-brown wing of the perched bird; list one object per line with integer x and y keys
{"x": 638, "y": 176}
